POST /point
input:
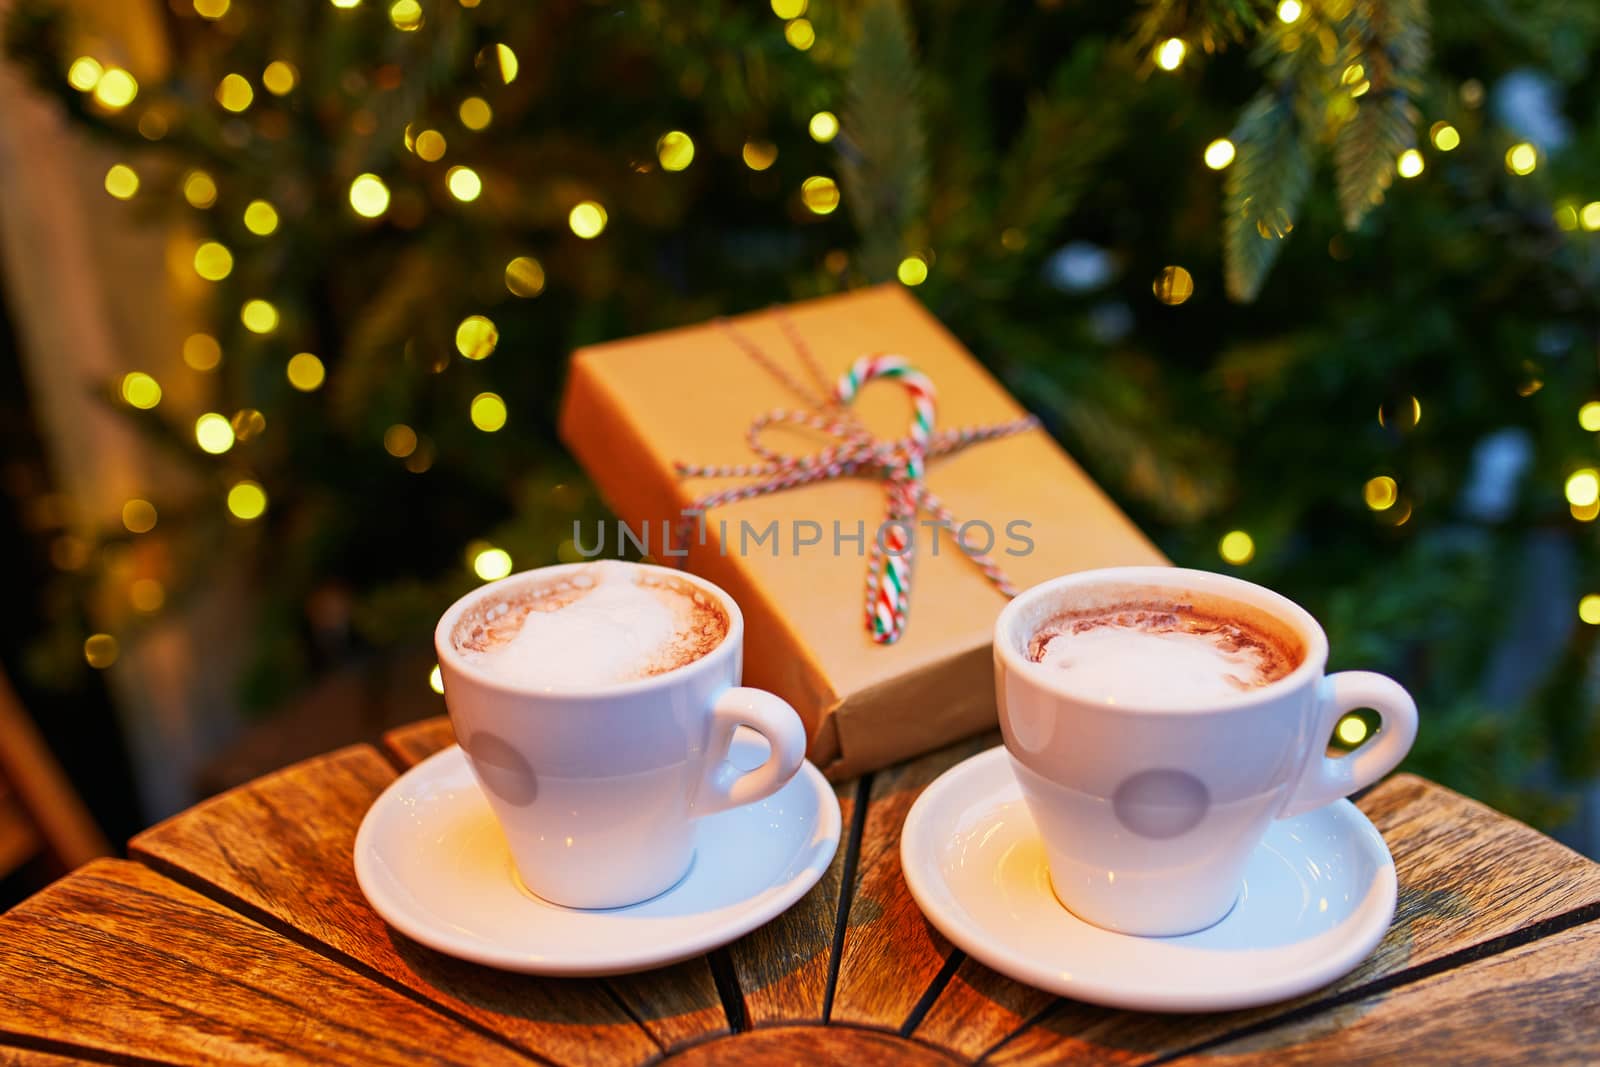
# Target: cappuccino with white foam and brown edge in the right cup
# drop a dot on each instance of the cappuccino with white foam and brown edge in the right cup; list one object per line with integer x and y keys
{"x": 1164, "y": 653}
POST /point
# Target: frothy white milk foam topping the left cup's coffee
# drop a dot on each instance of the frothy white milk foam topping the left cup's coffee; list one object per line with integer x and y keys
{"x": 607, "y": 629}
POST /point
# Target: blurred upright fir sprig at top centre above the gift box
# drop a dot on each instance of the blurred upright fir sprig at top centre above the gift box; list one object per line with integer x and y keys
{"x": 882, "y": 153}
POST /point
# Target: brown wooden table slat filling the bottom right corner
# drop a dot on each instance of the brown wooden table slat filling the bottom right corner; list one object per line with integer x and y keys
{"x": 1534, "y": 1005}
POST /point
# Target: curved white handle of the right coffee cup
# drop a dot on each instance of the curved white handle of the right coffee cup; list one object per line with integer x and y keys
{"x": 1327, "y": 780}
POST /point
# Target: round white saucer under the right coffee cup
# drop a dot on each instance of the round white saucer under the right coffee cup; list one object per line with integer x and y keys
{"x": 1318, "y": 898}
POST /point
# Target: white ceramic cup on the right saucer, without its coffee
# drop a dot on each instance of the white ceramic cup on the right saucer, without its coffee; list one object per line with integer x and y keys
{"x": 1150, "y": 813}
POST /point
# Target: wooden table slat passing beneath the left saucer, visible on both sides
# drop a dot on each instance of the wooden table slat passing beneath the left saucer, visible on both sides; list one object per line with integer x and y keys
{"x": 676, "y": 1005}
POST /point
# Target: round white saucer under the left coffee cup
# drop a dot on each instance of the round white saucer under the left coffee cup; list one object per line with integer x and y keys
{"x": 434, "y": 863}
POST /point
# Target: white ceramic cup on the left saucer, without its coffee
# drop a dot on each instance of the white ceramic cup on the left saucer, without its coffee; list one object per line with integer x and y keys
{"x": 599, "y": 789}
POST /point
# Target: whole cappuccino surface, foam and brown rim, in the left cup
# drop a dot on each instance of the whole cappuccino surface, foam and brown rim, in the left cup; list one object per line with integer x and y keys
{"x": 602, "y": 625}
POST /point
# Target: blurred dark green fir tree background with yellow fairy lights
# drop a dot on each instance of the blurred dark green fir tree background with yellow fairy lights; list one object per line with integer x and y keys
{"x": 287, "y": 290}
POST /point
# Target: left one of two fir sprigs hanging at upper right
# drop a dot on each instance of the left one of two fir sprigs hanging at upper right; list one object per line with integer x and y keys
{"x": 1265, "y": 190}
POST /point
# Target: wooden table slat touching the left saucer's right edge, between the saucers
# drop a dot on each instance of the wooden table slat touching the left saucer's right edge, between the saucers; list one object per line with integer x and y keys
{"x": 783, "y": 967}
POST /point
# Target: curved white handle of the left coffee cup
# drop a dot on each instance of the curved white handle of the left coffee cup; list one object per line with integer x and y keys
{"x": 727, "y": 786}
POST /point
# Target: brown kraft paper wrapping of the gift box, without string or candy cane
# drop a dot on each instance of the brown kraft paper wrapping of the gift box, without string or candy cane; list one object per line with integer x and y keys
{"x": 636, "y": 407}
